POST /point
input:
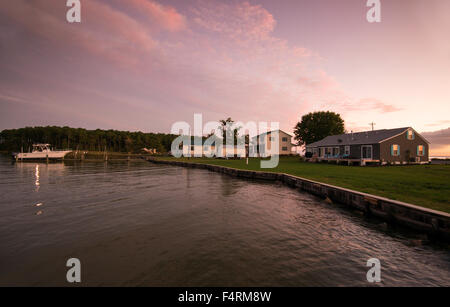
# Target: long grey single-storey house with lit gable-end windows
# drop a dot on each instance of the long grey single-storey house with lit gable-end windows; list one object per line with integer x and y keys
{"x": 396, "y": 146}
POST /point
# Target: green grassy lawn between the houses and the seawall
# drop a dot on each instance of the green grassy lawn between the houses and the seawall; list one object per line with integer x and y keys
{"x": 423, "y": 185}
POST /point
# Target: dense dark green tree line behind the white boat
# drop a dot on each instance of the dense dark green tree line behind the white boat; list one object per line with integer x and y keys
{"x": 82, "y": 139}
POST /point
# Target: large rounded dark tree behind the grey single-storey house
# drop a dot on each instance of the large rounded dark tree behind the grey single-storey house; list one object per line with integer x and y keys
{"x": 318, "y": 125}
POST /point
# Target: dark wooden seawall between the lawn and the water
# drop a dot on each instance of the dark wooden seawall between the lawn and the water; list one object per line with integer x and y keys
{"x": 434, "y": 223}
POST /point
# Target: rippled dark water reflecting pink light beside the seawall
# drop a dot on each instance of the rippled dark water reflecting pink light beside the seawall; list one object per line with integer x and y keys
{"x": 134, "y": 223}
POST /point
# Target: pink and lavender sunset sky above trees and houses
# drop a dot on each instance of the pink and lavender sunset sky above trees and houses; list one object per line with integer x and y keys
{"x": 146, "y": 64}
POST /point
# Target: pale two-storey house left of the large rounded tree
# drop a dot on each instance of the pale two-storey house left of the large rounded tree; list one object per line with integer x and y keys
{"x": 265, "y": 144}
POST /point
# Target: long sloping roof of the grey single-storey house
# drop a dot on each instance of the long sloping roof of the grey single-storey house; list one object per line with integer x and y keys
{"x": 359, "y": 138}
